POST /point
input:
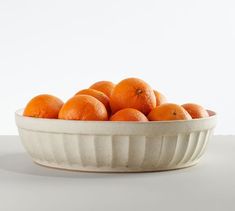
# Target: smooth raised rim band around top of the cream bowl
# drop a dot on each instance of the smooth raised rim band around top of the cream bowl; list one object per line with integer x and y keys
{"x": 114, "y": 127}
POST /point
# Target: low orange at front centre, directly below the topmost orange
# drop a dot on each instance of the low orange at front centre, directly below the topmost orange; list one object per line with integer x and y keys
{"x": 129, "y": 114}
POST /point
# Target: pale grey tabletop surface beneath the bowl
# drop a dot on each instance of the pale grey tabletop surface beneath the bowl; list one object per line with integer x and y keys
{"x": 208, "y": 186}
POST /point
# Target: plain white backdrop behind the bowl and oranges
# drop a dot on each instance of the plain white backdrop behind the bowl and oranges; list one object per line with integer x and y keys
{"x": 185, "y": 49}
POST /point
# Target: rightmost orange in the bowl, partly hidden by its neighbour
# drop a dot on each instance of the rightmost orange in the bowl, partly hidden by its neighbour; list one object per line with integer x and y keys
{"x": 195, "y": 110}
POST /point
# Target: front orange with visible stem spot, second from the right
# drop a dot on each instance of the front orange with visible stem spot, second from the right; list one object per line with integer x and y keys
{"x": 168, "y": 111}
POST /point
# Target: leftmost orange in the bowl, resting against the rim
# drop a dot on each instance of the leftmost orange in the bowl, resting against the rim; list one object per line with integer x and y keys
{"x": 43, "y": 106}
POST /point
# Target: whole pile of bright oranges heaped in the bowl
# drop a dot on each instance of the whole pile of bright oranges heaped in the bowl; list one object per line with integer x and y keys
{"x": 131, "y": 99}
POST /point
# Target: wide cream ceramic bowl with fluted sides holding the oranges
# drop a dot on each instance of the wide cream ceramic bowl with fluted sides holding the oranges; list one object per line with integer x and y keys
{"x": 103, "y": 146}
